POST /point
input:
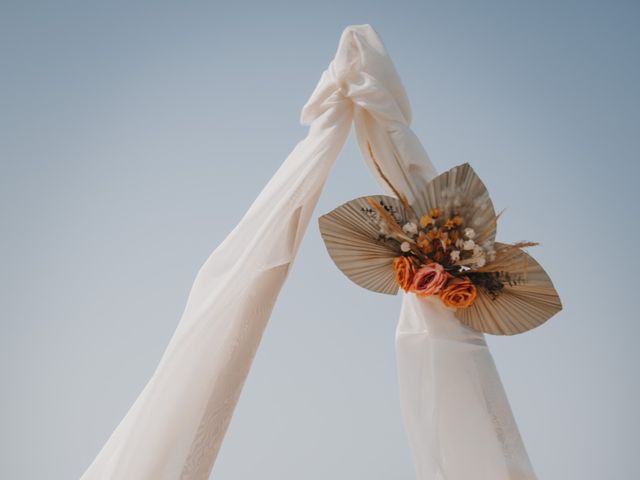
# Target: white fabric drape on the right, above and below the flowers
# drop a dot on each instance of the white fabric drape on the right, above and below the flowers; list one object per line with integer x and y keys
{"x": 456, "y": 413}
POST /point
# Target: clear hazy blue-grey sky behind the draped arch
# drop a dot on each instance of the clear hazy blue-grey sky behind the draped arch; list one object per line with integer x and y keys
{"x": 133, "y": 136}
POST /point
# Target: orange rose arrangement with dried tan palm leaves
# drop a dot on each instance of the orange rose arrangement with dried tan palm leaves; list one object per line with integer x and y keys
{"x": 442, "y": 244}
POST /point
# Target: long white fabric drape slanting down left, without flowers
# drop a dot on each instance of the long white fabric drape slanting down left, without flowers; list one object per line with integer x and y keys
{"x": 176, "y": 426}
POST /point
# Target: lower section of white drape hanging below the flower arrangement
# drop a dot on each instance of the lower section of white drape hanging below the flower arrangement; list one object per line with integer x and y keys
{"x": 456, "y": 413}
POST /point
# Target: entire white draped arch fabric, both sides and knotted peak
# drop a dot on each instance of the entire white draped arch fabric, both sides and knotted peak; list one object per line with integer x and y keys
{"x": 456, "y": 414}
